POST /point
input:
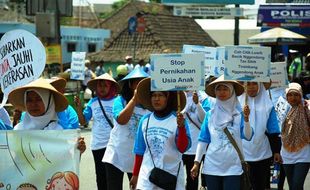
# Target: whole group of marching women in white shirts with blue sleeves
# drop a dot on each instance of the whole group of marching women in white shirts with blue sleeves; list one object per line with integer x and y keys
{"x": 153, "y": 134}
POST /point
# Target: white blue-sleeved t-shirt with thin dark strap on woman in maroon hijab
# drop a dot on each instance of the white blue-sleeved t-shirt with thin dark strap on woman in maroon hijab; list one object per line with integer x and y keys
{"x": 101, "y": 128}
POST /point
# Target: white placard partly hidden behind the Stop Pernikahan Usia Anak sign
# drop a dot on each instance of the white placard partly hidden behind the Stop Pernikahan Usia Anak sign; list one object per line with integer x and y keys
{"x": 210, "y": 56}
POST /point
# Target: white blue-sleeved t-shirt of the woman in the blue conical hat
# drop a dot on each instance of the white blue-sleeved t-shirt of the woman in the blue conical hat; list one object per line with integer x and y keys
{"x": 119, "y": 148}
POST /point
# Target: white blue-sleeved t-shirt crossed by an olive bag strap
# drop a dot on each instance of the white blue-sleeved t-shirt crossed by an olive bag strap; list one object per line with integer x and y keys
{"x": 221, "y": 157}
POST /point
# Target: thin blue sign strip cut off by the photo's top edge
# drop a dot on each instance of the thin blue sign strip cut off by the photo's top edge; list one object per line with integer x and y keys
{"x": 208, "y": 2}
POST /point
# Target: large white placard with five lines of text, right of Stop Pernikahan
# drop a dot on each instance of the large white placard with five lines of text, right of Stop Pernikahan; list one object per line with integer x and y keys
{"x": 247, "y": 63}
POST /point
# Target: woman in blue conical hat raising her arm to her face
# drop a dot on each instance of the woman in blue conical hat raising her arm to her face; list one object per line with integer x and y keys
{"x": 126, "y": 113}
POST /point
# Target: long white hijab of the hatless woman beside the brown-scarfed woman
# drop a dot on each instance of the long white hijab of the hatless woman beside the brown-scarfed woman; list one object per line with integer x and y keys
{"x": 260, "y": 108}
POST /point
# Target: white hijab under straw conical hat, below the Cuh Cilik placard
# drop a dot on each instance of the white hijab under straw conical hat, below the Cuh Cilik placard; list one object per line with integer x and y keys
{"x": 224, "y": 111}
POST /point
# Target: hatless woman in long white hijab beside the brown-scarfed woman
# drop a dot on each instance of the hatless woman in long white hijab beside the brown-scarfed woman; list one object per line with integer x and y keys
{"x": 263, "y": 119}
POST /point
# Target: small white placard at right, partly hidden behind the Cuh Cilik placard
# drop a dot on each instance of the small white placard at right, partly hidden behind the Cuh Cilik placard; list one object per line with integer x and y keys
{"x": 278, "y": 75}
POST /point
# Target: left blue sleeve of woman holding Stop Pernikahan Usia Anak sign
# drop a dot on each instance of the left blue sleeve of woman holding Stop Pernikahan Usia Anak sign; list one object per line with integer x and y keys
{"x": 139, "y": 145}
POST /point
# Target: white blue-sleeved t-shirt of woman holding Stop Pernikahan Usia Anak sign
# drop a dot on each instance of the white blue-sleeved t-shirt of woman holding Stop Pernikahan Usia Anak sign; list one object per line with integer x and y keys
{"x": 161, "y": 137}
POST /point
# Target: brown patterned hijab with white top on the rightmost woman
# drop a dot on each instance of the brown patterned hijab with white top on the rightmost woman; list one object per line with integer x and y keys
{"x": 296, "y": 130}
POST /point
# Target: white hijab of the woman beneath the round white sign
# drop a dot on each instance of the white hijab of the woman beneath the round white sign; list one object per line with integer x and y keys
{"x": 44, "y": 121}
